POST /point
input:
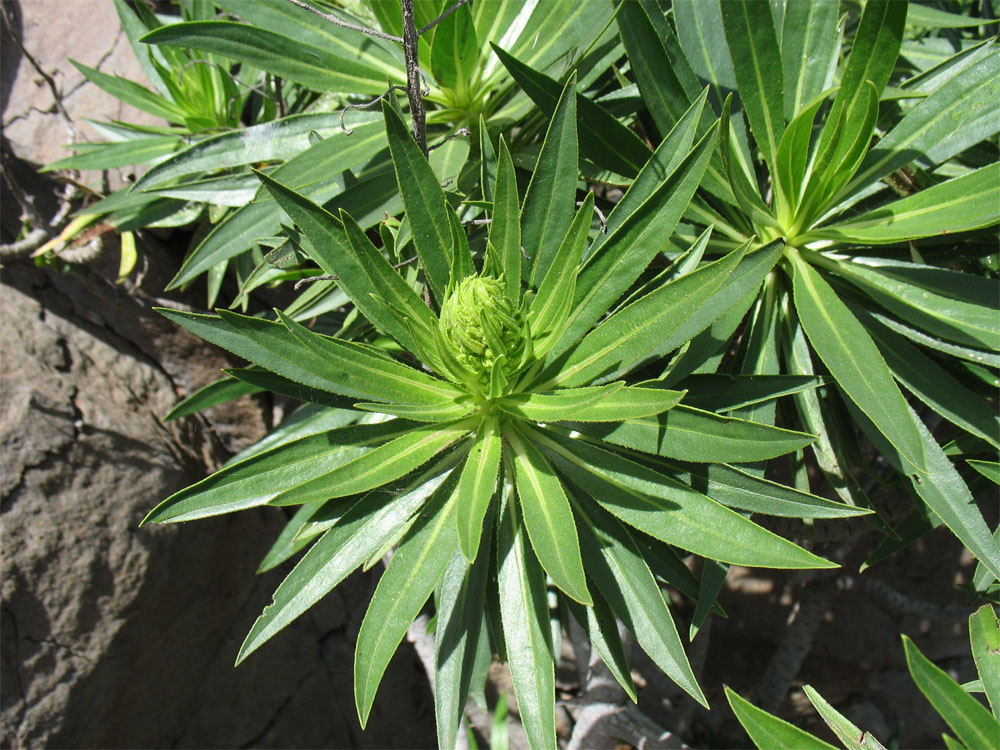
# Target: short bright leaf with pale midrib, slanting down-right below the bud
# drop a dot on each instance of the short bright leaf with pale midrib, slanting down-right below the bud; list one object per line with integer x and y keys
{"x": 547, "y": 516}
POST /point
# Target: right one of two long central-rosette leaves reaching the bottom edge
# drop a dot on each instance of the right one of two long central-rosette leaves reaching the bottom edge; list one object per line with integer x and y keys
{"x": 524, "y": 610}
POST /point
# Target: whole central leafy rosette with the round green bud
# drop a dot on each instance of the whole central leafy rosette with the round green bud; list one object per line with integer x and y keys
{"x": 512, "y": 448}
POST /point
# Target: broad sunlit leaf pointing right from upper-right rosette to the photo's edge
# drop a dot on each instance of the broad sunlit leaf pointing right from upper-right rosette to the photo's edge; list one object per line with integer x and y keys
{"x": 971, "y": 201}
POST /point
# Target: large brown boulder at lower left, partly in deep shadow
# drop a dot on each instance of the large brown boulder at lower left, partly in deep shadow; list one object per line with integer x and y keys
{"x": 120, "y": 636}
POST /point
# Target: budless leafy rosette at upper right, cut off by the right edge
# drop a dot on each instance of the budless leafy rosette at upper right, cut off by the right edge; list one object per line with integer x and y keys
{"x": 883, "y": 187}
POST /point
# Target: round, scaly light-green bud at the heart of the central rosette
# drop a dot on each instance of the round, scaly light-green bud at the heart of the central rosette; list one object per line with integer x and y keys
{"x": 480, "y": 324}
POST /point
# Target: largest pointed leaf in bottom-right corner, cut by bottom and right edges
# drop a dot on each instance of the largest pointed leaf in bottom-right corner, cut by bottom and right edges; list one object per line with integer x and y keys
{"x": 966, "y": 716}
